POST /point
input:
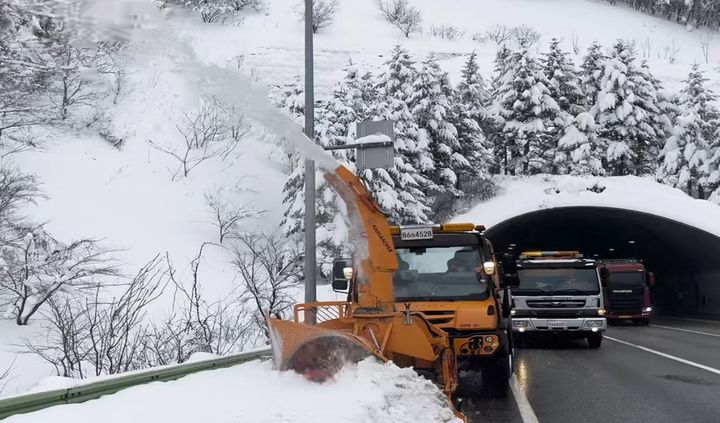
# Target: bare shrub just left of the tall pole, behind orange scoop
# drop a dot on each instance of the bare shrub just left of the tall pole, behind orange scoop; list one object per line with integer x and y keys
{"x": 269, "y": 269}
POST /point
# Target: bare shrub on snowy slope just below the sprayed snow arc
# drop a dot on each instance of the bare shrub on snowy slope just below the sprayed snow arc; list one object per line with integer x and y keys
{"x": 213, "y": 130}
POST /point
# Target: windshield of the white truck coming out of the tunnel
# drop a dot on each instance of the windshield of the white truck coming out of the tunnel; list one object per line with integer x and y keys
{"x": 553, "y": 281}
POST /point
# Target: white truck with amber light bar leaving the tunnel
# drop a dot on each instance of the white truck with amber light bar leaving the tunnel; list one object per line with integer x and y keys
{"x": 560, "y": 293}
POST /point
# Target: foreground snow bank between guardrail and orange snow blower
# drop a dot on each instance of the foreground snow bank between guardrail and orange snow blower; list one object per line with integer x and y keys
{"x": 254, "y": 393}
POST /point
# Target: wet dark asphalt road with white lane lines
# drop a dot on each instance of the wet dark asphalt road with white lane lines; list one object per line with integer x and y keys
{"x": 564, "y": 381}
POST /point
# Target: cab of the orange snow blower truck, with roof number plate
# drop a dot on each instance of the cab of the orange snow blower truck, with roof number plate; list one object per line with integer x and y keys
{"x": 449, "y": 274}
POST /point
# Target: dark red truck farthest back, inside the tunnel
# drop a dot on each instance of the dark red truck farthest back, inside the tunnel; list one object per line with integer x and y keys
{"x": 627, "y": 291}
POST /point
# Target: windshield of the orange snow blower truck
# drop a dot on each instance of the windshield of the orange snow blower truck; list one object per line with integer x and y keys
{"x": 439, "y": 274}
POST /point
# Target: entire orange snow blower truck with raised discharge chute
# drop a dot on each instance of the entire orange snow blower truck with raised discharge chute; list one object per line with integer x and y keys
{"x": 427, "y": 297}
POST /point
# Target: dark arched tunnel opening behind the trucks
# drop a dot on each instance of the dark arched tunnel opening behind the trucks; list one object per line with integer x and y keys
{"x": 686, "y": 260}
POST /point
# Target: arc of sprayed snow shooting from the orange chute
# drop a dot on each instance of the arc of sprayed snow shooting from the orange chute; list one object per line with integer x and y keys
{"x": 139, "y": 21}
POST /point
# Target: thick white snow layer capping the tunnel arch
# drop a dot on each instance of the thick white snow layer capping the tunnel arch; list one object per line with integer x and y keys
{"x": 524, "y": 195}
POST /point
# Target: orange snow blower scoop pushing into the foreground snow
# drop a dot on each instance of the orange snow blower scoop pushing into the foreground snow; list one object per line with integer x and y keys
{"x": 312, "y": 351}
